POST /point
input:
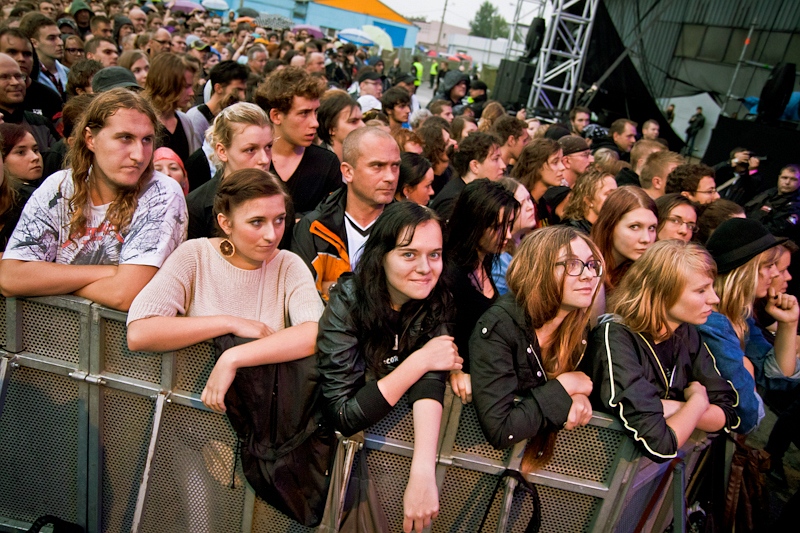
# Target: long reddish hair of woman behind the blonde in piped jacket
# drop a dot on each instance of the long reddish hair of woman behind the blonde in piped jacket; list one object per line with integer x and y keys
{"x": 619, "y": 203}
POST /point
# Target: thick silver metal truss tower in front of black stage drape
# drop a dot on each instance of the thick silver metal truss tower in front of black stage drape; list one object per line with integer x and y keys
{"x": 562, "y": 56}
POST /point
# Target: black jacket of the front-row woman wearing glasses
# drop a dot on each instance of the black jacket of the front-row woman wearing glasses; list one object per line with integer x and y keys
{"x": 505, "y": 366}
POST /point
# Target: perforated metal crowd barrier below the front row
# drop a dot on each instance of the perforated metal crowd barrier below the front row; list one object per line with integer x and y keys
{"x": 116, "y": 441}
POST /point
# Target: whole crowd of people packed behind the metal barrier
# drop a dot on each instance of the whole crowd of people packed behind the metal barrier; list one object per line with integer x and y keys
{"x": 348, "y": 248}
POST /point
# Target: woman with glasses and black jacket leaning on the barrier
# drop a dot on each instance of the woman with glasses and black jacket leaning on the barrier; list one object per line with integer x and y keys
{"x": 526, "y": 348}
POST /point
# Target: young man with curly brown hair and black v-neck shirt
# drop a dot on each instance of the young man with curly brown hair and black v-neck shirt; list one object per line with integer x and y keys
{"x": 291, "y": 98}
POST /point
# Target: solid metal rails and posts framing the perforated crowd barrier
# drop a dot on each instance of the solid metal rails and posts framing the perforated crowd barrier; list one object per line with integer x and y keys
{"x": 94, "y": 377}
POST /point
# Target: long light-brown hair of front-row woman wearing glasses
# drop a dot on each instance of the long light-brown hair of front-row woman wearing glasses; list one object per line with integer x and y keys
{"x": 531, "y": 278}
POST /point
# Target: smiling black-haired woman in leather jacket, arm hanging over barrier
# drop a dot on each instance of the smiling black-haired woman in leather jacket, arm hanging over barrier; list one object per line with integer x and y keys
{"x": 385, "y": 333}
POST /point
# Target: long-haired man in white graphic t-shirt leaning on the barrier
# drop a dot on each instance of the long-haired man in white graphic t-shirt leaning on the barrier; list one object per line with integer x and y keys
{"x": 101, "y": 228}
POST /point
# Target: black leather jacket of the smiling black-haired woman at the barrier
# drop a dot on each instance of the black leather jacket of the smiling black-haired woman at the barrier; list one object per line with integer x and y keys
{"x": 353, "y": 401}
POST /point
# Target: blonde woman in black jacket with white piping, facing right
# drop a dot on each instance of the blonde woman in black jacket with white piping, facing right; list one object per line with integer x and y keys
{"x": 648, "y": 362}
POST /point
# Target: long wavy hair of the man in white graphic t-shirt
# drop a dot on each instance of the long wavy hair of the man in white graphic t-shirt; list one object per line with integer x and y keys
{"x": 81, "y": 159}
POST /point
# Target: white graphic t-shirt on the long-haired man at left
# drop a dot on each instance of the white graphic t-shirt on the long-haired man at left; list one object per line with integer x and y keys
{"x": 158, "y": 226}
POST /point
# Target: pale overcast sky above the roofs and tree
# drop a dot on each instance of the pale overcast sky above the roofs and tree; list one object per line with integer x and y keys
{"x": 459, "y": 12}
